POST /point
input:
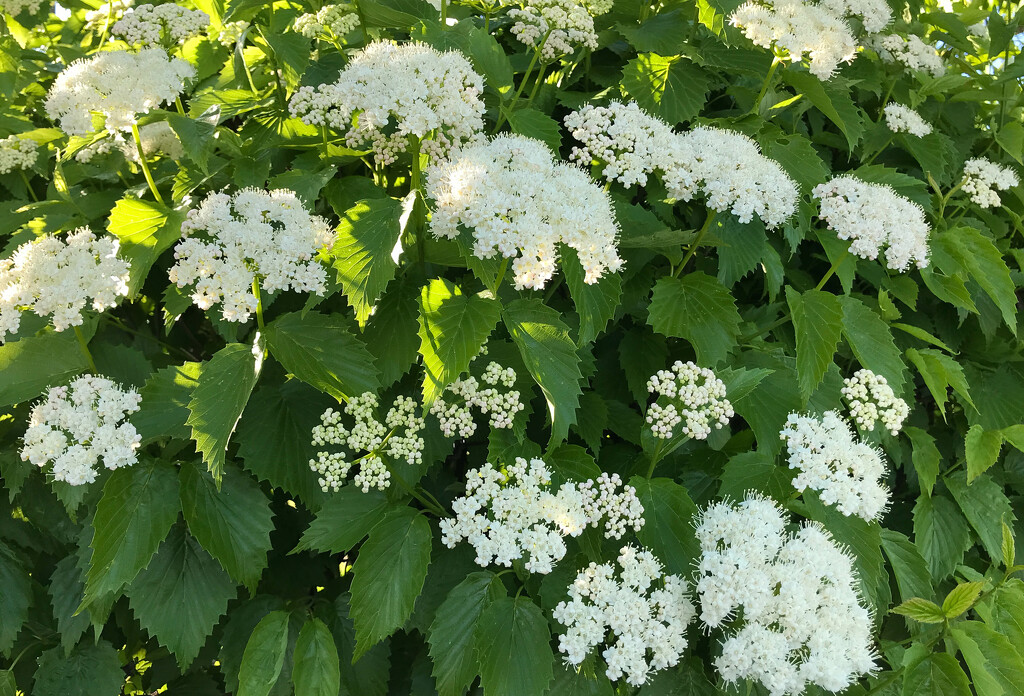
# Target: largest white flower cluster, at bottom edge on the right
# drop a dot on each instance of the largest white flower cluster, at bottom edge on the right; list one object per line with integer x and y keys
{"x": 802, "y": 619}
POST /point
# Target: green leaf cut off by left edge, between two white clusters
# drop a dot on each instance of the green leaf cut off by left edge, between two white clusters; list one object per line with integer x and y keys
{"x": 31, "y": 365}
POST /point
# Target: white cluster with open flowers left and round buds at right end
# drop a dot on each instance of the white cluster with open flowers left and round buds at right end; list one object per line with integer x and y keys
{"x": 506, "y": 515}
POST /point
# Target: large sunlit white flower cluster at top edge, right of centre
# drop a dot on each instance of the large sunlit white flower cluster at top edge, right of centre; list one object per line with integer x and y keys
{"x": 794, "y": 29}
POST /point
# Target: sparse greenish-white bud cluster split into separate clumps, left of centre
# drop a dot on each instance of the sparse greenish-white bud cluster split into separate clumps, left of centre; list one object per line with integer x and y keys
{"x": 399, "y": 438}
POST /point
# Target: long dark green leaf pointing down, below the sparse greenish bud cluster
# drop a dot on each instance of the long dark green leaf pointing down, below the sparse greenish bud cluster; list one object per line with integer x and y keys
{"x": 389, "y": 577}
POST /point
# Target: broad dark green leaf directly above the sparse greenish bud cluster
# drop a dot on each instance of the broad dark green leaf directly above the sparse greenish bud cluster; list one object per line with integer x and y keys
{"x": 322, "y": 352}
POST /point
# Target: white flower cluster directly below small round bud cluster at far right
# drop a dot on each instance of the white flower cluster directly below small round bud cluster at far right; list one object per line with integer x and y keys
{"x": 846, "y": 472}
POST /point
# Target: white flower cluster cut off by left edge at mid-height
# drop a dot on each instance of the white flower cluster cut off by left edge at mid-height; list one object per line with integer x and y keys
{"x": 59, "y": 278}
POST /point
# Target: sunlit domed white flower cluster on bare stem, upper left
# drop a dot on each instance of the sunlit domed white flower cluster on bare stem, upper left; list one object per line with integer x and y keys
{"x": 118, "y": 86}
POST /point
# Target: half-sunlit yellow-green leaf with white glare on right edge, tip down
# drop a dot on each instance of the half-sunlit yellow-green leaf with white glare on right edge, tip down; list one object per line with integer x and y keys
{"x": 363, "y": 254}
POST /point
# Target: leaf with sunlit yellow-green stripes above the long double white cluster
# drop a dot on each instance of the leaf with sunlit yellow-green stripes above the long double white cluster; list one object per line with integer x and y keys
{"x": 670, "y": 88}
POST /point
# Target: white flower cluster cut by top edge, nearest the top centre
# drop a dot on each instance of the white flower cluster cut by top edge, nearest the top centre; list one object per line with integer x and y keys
{"x": 554, "y": 27}
